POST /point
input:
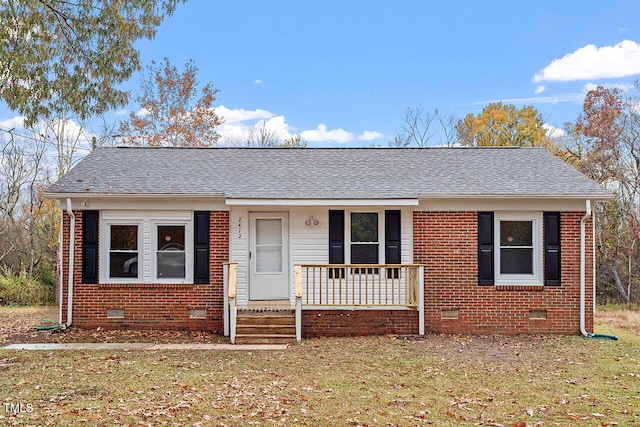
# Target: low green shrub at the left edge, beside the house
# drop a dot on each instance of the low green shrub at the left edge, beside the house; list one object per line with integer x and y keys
{"x": 19, "y": 290}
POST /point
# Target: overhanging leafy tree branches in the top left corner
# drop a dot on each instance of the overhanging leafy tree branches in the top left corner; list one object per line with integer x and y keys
{"x": 72, "y": 56}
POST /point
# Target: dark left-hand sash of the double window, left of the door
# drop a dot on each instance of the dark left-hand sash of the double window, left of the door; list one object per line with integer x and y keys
{"x": 123, "y": 251}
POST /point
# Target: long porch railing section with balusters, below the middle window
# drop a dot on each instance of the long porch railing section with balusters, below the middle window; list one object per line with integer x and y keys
{"x": 361, "y": 284}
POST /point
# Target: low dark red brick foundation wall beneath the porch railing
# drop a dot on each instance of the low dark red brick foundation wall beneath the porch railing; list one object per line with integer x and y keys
{"x": 333, "y": 323}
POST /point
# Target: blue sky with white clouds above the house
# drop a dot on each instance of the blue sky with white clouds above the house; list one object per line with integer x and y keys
{"x": 340, "y": 73}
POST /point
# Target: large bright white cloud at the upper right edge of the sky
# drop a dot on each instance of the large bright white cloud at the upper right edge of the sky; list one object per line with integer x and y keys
{"x": 591, "y": 62}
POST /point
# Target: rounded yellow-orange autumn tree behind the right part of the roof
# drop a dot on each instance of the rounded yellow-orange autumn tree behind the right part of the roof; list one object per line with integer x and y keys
{"x": 503, "y": 125}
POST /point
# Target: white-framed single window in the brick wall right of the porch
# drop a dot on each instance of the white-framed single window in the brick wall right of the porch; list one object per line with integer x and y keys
{"x": 519, "y": 251}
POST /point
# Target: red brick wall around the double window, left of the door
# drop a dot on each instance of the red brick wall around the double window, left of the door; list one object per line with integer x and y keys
{"x": 149, "y": 306}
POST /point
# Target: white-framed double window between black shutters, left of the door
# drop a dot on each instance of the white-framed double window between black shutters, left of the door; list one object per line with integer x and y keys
{"x": 147, "y": 247}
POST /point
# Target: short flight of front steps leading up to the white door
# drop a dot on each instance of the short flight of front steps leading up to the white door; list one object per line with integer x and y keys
{"x": 265, "y": 327}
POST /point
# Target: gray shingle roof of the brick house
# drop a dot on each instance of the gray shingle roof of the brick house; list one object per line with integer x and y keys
{"x": 318, "y": 173}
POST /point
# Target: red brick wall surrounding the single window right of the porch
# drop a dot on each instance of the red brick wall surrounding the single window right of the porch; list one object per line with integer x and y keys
{"x": 446, "y": 243}
